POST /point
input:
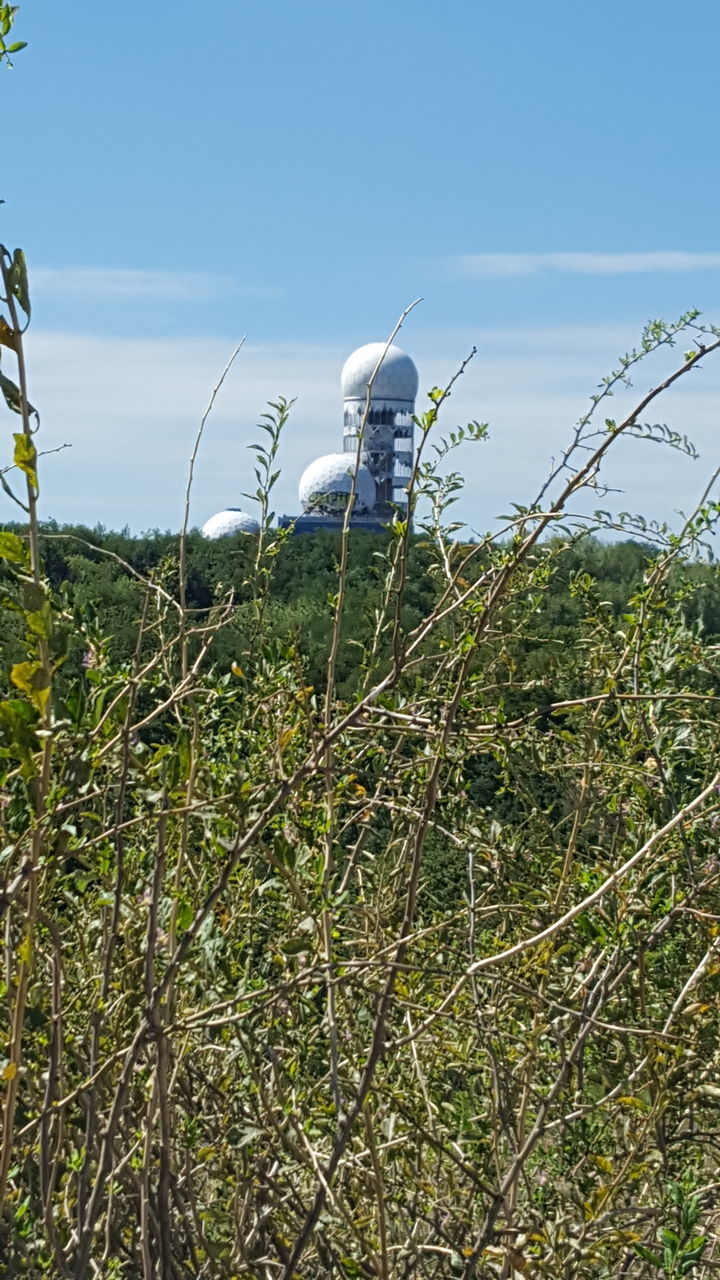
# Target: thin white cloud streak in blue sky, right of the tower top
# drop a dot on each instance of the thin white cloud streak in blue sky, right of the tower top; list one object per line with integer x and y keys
{"x": 582, "y": 264}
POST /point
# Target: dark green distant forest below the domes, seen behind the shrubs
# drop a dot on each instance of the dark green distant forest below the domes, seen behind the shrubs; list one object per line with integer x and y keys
{"x": 104, "y": 573}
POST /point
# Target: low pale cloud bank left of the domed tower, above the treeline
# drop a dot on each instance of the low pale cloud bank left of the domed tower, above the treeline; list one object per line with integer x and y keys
{"x": 131, "y": 406}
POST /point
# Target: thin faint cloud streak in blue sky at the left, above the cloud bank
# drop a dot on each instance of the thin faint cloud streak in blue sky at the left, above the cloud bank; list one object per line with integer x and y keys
{"x": 113, "y": 284}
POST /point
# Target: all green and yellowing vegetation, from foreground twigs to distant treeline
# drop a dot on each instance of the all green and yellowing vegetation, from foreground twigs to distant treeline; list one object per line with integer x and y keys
{"x": 361, "y": 895}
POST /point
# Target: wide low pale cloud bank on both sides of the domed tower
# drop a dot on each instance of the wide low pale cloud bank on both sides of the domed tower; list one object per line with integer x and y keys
{"x": 131, "y": 406}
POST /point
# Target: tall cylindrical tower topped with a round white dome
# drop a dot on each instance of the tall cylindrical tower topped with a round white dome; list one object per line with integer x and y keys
{"x": 385, "y": 427}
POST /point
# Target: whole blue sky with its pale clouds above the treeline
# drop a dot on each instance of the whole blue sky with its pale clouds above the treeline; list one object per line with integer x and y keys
{"x": 181, "y": 177}
